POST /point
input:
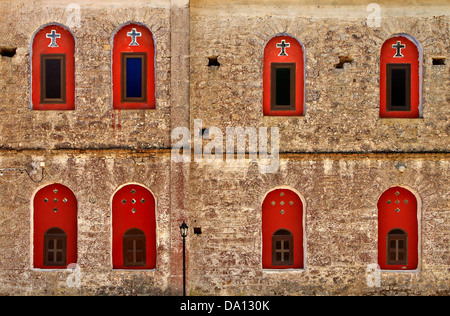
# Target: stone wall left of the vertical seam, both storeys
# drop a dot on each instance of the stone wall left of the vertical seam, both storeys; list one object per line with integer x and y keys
{"x": 92, "y": 150}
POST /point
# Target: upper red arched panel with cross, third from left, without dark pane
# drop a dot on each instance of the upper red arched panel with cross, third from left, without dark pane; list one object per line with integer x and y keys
{"x": 283, "y": 49}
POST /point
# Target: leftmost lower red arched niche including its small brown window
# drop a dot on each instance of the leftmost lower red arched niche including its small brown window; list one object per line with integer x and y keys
{"x": 54, "y": 227}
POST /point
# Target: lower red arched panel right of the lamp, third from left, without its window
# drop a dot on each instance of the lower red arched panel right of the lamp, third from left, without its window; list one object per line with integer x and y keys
{"x": 282, "y": 209}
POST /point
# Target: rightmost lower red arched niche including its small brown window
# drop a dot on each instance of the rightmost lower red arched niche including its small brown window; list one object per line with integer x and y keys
{"x": 398, "y": 230}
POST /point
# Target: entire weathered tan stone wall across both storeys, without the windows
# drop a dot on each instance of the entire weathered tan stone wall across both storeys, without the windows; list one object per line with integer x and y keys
{"x": 340, "y": 156}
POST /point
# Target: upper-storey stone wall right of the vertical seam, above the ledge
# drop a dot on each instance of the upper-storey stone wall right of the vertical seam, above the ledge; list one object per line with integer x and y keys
{"x": 342, "y": 105}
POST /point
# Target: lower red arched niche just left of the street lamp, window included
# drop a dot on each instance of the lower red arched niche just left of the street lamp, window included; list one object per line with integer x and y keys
{"x": 134, "y": 228}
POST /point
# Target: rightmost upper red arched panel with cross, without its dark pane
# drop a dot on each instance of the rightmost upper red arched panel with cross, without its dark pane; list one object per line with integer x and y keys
{"x": 401, "y": 50}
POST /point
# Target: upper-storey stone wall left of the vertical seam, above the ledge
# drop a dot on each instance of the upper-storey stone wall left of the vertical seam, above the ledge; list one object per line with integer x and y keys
{"x": 93, "y": 124}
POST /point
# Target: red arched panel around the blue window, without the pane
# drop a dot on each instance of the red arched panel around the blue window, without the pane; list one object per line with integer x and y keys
{"x": 133, "y": 38}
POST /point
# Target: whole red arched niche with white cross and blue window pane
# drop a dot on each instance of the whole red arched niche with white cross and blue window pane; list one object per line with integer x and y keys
{"x": 133, "y": 67}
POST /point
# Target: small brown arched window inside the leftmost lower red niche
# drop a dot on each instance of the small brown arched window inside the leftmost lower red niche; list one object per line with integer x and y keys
{"x": 55, "y": 247}
